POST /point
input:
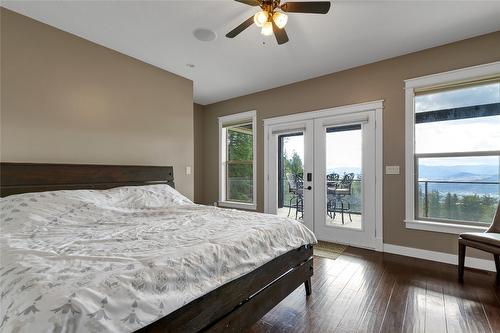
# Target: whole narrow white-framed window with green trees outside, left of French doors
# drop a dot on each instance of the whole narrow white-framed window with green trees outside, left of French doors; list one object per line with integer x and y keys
{"x": 237, "y": 165}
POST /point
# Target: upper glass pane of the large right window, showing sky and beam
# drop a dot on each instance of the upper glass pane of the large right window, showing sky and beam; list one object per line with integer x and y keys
{"x": 452, "y": 121}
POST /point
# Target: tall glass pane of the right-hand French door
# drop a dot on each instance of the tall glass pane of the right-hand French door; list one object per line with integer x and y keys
{"x": 344, "y": 176}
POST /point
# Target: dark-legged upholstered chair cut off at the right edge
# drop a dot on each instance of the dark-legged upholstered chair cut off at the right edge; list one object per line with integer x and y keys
{"x": 488, "y": 241}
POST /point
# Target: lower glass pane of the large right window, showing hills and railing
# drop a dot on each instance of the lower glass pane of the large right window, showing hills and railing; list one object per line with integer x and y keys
{"x": 458, "y": 188}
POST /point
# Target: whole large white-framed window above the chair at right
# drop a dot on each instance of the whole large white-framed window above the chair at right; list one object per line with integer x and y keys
{"x": 453, "y": 153}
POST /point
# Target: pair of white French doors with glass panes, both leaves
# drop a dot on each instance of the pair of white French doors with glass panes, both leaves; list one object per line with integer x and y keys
{"x": 322, "y": 172}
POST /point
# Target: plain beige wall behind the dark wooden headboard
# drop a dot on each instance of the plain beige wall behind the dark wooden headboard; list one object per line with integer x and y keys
{"x": 65, "y": 99}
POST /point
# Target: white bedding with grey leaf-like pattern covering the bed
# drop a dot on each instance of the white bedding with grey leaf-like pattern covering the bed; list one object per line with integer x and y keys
{"x": 117, "y": 260}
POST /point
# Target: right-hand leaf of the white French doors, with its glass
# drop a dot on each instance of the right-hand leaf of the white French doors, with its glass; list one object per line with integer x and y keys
{"x": 344, "y": 165}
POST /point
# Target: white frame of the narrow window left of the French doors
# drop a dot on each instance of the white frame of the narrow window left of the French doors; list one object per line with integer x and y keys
{"x": 234, "y": 118}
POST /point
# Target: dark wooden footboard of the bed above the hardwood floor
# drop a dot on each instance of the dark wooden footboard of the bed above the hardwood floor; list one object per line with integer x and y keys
{"x": 240, "y": 303}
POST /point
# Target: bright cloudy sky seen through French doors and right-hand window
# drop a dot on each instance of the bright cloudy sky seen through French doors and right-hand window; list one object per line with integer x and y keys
{"x": 343, "y": 148}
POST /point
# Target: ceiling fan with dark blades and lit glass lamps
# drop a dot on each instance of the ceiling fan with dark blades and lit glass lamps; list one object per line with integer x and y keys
{"x": 272, "y": 17}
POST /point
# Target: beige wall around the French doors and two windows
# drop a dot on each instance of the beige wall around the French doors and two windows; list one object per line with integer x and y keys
{"x": 381, "y": 80}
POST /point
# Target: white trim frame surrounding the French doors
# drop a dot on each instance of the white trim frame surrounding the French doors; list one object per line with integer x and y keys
{"x": 376, "y": 106}
